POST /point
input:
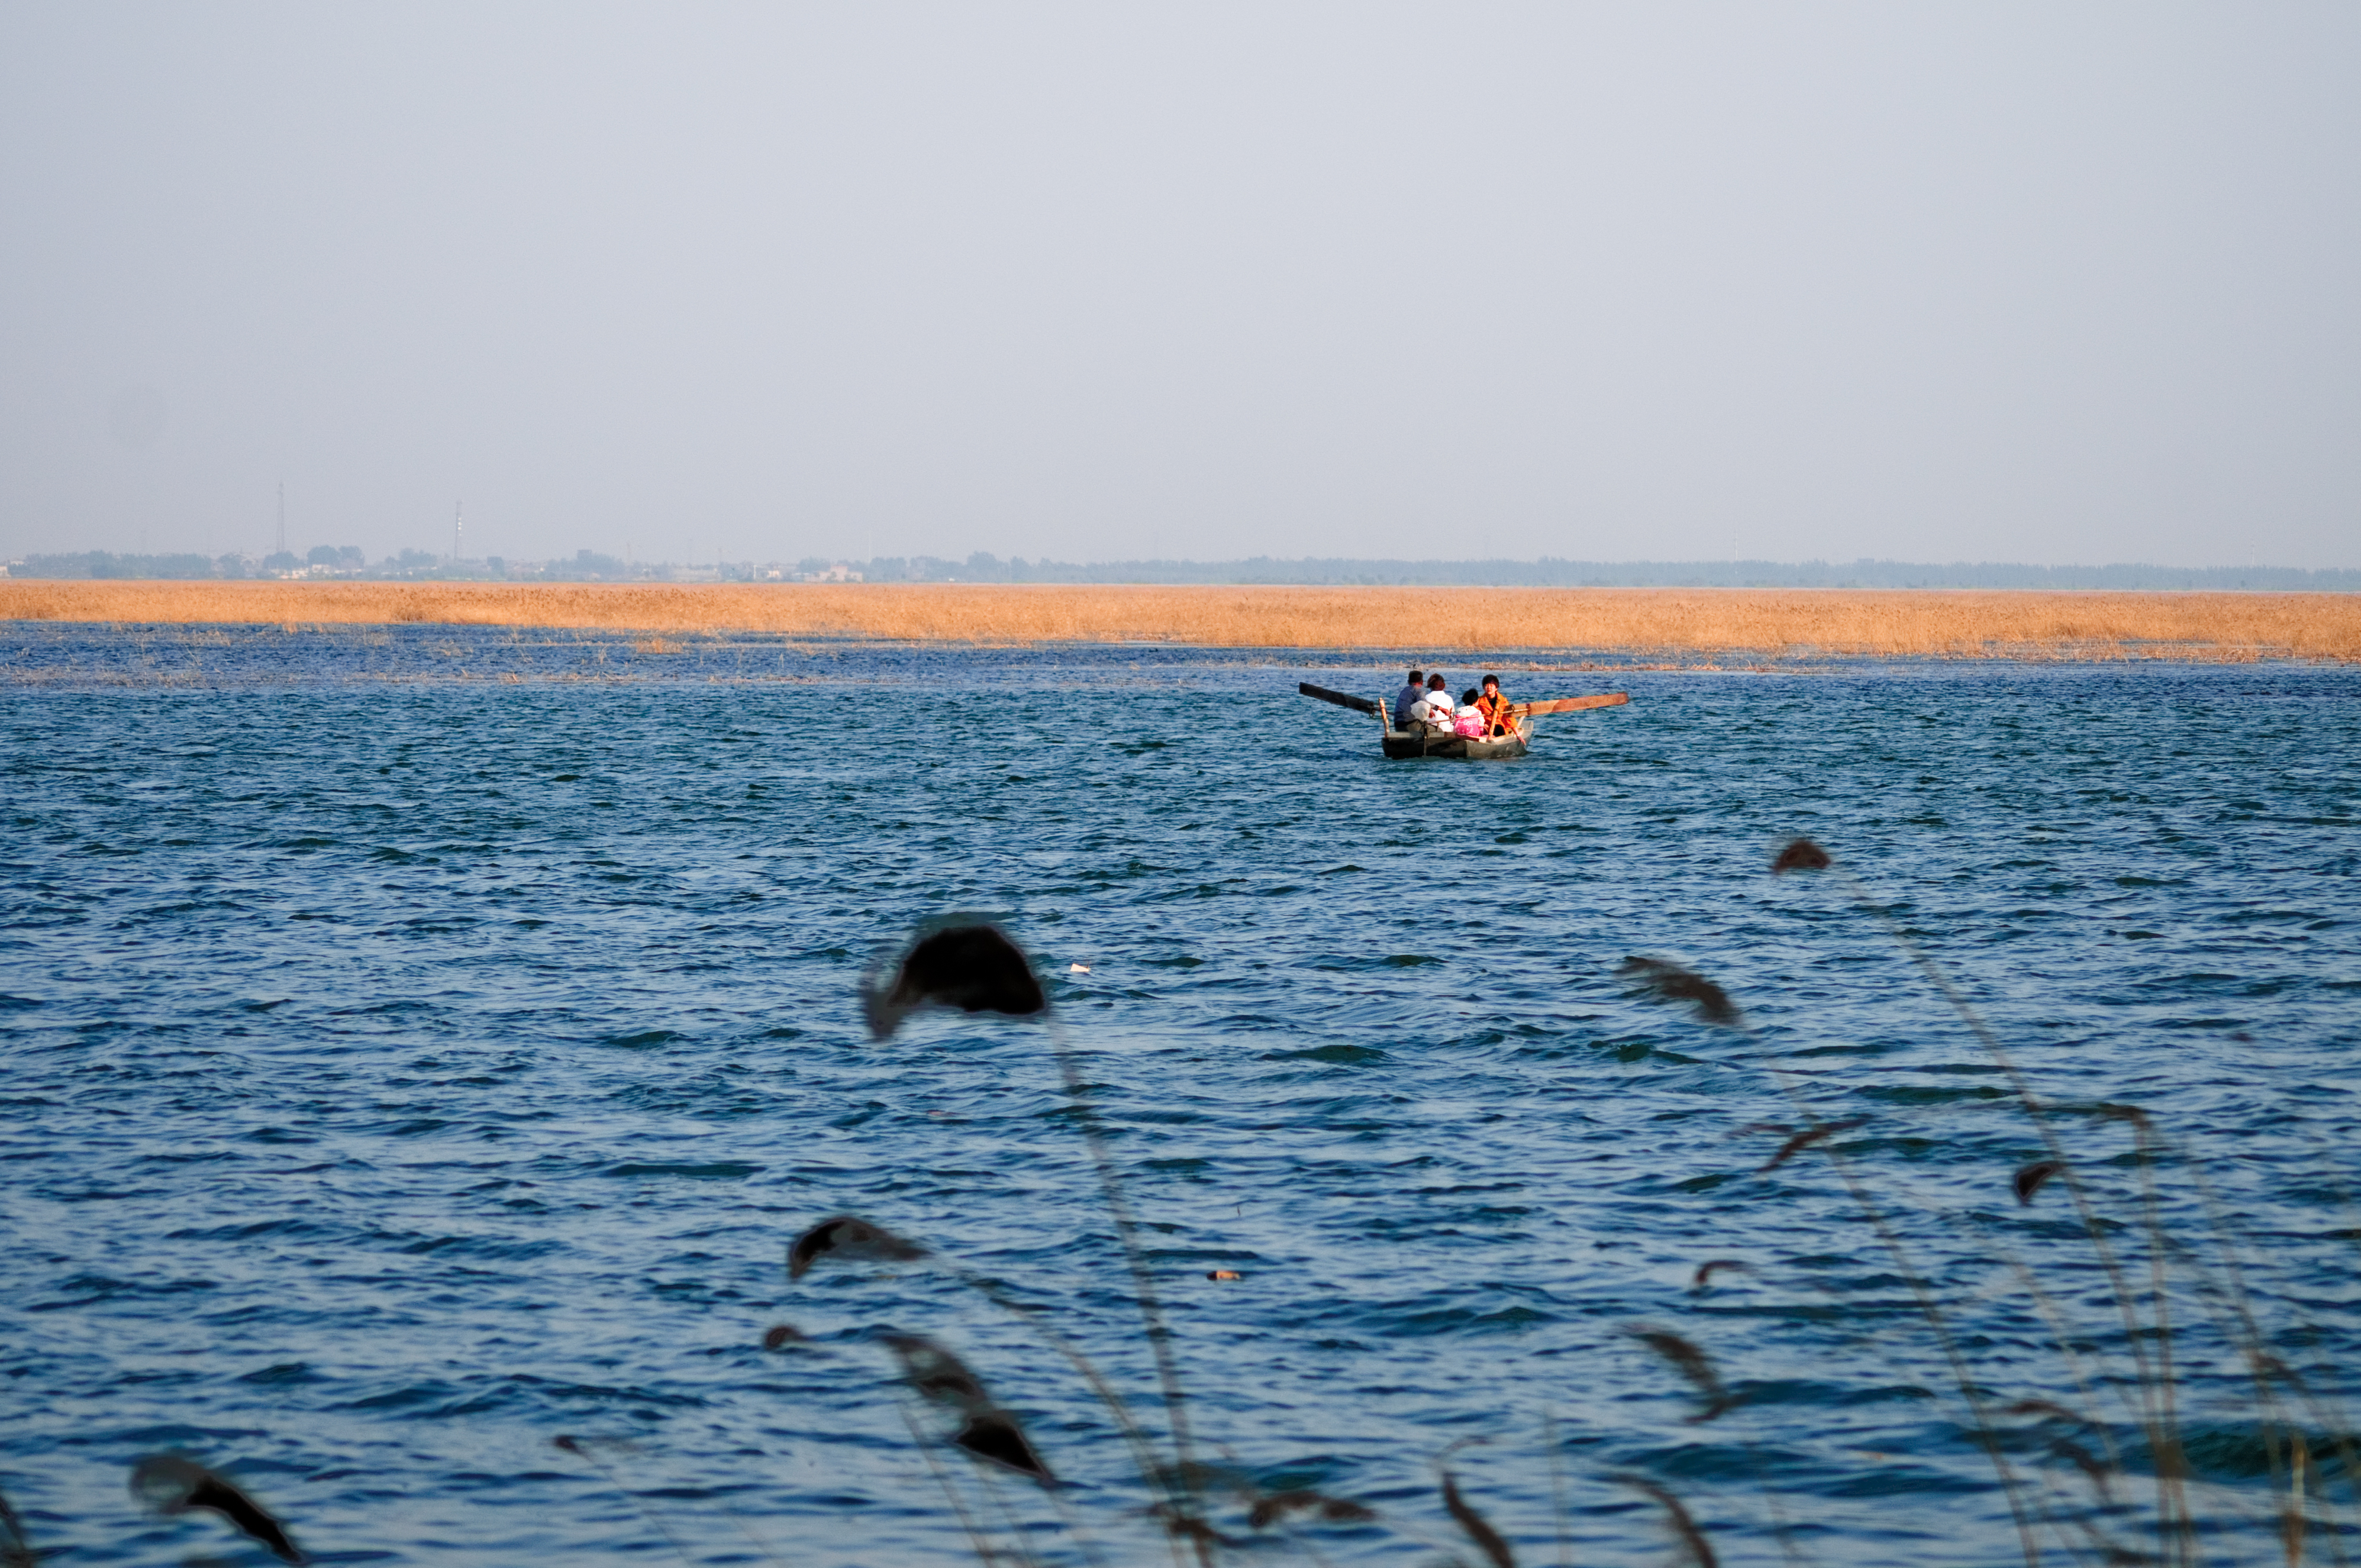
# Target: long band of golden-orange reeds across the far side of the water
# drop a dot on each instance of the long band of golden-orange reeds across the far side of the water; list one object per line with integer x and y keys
{"x": 1713, "y": 622}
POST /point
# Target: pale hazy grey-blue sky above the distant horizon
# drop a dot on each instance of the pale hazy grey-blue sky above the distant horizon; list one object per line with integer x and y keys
{"x": 1994, "y": 282}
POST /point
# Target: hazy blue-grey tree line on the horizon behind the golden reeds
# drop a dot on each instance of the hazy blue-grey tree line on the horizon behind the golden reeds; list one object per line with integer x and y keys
{"x": 986, "y": 568}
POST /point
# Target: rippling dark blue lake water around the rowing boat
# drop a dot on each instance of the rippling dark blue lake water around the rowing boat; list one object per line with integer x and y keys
{"x": 421, "y": 1045}
